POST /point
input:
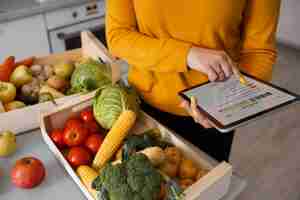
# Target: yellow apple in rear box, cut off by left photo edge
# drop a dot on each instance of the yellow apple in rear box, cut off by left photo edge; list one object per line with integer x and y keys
{"x": 7, "y": 92}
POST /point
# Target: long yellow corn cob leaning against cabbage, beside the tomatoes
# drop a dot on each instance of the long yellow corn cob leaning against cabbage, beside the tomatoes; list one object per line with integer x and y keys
{"x": 114, "y": 138}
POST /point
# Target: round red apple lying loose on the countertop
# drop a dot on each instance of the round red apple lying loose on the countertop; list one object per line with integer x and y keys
{"x": 28, "y": 173}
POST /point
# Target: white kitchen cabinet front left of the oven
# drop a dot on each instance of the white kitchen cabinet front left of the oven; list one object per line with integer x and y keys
{"x": 24, "y": 37}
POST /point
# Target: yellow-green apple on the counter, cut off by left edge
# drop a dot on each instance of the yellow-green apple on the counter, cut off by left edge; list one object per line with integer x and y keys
{"x": 8, "y": 144}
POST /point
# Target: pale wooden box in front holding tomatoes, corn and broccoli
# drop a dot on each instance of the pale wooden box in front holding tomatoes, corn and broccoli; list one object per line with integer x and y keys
{"x": 212, "y": 186}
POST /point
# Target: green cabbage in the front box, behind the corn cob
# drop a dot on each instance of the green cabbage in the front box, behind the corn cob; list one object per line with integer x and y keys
{"x": 111, "y": 101}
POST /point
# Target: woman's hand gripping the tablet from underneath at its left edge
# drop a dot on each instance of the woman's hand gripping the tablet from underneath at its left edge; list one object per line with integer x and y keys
{"x": 193, "y": 110}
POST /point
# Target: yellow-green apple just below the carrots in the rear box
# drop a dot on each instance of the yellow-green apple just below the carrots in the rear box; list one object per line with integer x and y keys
{"x": 21, "y": 76}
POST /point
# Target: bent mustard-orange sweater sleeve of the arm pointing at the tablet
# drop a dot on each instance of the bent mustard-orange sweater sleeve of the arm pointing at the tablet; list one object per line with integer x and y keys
{"x": 148, "y": 53}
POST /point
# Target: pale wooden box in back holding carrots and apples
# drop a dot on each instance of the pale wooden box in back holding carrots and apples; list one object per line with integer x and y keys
{"x": 27, "y": 118}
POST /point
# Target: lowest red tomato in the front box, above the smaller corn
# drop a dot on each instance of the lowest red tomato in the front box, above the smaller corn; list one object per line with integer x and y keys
{"x": 79, "y": 156}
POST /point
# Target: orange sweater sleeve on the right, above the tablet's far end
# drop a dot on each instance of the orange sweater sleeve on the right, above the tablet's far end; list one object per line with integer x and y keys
{"x": 258, "y": 52}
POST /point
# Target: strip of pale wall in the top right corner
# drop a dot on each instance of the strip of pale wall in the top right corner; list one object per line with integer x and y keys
{"x": 289, "y": 23}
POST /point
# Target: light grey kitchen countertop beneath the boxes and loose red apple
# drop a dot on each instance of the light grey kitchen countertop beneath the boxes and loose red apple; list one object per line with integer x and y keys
{"x": 57, "y": 184}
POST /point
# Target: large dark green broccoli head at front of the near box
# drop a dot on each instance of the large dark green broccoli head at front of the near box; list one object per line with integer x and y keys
{"x": 134, "y": 179}
